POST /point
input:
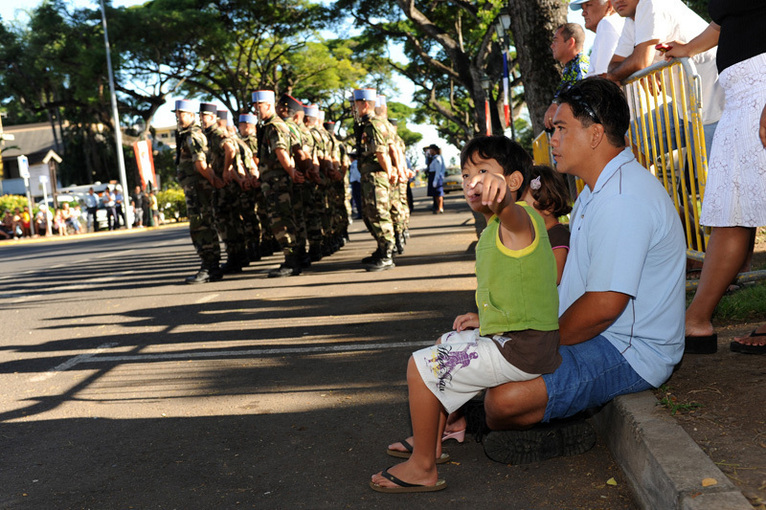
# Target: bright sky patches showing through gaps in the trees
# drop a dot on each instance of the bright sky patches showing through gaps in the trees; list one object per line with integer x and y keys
{"x": 11, "y": 10}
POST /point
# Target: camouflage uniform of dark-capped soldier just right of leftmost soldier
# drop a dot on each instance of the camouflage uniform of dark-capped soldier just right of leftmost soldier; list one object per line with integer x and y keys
{"x": 227, "y": 199}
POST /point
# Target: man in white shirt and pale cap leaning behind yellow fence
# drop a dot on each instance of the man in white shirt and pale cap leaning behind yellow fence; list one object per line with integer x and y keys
{"x": 601, "y": 19}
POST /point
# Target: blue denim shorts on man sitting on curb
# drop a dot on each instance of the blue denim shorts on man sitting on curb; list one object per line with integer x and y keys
{"x": 591, "y": 374}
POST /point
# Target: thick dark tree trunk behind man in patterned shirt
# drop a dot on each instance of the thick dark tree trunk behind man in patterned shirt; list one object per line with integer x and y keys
{"x": 533, "y": 23}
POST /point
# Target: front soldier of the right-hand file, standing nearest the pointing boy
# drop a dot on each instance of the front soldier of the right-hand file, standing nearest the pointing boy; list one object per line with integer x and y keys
{"x": 377, "y": 170}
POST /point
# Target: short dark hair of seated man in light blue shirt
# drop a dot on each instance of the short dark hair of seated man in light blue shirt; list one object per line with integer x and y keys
{"x": 603, "y": 99}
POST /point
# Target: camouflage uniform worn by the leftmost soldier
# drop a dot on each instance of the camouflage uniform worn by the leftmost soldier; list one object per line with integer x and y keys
{"x": 191, "y": 147}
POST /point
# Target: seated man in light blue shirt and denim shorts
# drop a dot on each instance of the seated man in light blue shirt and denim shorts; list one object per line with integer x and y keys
{"x": 621, "y": 314}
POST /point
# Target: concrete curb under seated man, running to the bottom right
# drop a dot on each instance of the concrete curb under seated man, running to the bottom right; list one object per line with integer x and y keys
{"x": 663, "y": 465}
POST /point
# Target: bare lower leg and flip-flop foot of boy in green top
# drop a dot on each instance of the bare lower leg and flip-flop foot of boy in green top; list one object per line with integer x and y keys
{"x": 428, "y": 418}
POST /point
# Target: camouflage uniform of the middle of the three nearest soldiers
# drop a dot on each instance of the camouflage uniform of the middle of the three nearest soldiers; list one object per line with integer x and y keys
{"x": 277, "y": 185}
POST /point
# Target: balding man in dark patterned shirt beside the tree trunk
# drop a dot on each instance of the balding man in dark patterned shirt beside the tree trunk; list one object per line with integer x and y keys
{"x": 567, "y": 50}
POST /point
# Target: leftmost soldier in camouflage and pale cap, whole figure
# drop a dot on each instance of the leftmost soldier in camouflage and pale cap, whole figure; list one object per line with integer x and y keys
{"x": 199, "y": 182}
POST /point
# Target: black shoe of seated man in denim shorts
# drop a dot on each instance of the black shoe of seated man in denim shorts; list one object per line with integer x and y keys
{"x": 543, "y": 441}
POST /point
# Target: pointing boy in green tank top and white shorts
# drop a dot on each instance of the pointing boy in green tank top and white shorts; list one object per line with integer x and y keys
{"x": 514, "y": 335}
